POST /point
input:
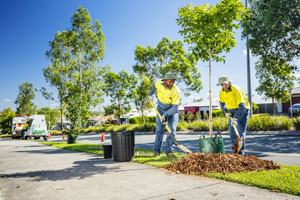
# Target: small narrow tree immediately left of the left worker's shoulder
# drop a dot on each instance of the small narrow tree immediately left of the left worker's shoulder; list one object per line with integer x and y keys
{"x": 141, "y": 94}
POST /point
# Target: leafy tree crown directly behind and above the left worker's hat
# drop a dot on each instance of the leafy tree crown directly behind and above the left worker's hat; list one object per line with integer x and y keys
{"x": 155, "y": 62}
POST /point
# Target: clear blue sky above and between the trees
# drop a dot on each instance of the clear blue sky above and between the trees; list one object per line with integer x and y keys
{"x": 28, "y": 26}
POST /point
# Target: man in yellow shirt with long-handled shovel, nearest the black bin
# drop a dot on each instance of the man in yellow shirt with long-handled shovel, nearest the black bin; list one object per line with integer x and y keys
{"x": 168, "y": 95}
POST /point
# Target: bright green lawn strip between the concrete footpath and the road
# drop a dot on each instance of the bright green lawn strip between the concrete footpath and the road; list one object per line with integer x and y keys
{"x": 285, "y": 180}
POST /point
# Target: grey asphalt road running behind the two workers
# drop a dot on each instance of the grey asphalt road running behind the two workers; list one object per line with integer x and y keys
{"x": 280, "y": 149}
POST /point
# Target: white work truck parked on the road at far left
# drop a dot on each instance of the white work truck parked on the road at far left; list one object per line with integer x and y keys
{"x": 30, "y": 127}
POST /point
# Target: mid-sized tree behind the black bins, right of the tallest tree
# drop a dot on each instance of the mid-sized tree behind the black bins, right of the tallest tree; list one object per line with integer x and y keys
{"x": 120, "y": 87}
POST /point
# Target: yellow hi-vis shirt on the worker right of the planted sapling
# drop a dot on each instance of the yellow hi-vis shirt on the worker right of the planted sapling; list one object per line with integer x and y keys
{"x": 233, "y": 97}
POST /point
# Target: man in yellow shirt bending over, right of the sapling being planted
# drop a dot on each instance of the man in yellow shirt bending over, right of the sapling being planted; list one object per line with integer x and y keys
{"x": 233, "y": 100}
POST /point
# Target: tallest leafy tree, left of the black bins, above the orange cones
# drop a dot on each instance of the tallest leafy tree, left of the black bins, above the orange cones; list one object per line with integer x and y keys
{"x": 74, "y": 55}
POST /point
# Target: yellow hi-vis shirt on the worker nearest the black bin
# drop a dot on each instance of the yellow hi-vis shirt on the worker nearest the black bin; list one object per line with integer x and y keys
{"x": 166, "y": 95}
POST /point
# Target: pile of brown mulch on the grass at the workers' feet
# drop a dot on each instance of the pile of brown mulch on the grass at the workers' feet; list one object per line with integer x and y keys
{"x": 200, "y": 164}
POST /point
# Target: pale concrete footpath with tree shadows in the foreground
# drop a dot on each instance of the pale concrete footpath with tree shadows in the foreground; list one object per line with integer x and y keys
{"x": 31, "y": 171}
